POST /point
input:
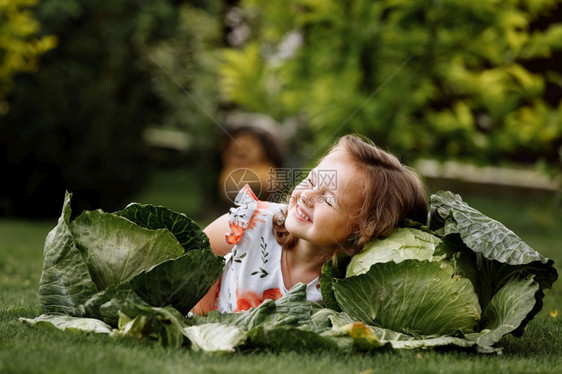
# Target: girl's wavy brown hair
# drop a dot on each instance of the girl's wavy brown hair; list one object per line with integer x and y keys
{"x": 393, "y": 192}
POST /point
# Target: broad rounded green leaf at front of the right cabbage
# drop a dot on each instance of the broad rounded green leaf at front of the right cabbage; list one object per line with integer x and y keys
{"x": 418, "y": 297}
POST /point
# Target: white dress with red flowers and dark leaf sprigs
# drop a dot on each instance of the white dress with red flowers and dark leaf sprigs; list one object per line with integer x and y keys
{"x": 252, "y": 272}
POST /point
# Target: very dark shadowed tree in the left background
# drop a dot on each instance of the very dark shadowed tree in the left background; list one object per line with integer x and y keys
{"x": 78, "y": 123}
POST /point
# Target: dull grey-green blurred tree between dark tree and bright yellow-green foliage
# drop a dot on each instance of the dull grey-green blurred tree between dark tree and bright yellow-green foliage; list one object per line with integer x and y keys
{"x": 183, "y": 72}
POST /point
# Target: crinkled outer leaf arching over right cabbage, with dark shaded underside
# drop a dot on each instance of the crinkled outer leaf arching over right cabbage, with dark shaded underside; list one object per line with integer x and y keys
{"x": 496, "y": 253}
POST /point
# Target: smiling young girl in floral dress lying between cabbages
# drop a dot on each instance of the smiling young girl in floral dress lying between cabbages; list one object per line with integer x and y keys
{"x": 357, "y": 193}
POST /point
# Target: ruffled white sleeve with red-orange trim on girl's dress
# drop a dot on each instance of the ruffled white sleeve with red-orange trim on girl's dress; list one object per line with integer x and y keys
{"x": 241, "y": 216}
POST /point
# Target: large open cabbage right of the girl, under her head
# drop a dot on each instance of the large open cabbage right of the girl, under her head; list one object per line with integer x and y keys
{"x": 469, "y": 277}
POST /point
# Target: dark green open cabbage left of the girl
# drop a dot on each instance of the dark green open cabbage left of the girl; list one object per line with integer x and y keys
{"x": 93, "y": 264}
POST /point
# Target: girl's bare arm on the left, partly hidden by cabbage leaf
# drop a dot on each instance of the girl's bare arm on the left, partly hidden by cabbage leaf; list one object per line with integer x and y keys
{"x": 216, "y": 232}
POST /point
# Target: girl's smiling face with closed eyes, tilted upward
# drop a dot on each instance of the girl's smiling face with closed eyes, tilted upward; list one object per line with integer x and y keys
{"x": 321, "y": 205}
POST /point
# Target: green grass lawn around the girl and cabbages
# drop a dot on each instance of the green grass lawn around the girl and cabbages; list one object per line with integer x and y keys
{"x": 25, "y": 349}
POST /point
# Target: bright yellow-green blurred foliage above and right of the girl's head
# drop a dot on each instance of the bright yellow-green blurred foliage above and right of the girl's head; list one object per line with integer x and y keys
{"x": 475, "y": 80}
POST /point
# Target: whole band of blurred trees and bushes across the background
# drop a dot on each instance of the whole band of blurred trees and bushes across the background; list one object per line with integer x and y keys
{"x": 105, "y": 95}
